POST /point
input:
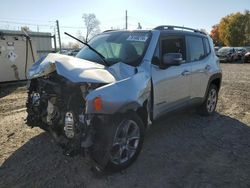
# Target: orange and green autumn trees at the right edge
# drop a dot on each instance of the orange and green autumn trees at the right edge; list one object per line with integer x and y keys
{"x": 232, "y": 30}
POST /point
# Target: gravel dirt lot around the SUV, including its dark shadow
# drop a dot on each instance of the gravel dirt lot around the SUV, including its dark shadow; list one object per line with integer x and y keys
{"x": 181, "y": 150}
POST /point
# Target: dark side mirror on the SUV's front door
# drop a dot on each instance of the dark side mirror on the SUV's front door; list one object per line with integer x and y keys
{"x": 172, "y": 59}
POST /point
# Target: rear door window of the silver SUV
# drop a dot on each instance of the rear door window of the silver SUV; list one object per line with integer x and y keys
{"x": 196, "y": 48}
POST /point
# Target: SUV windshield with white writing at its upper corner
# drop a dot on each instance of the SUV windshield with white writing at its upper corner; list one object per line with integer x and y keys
{"x": 123, "y": 46}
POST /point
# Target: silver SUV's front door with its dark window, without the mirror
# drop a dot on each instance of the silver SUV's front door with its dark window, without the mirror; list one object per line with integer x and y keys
{"x": 171, "y": 85}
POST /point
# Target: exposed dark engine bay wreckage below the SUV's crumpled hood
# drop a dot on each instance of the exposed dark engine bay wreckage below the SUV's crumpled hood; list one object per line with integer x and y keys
{"x": 58, "y": 105}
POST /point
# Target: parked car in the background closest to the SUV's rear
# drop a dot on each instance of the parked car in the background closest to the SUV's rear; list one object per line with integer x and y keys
{"x": 227, "y": 54}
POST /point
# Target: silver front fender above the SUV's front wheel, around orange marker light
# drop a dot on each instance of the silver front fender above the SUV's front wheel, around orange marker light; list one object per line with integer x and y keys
{"x": 120, "y": 96}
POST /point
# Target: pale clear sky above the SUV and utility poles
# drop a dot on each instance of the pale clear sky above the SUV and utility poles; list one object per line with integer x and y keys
{"x": 41, "y": 15}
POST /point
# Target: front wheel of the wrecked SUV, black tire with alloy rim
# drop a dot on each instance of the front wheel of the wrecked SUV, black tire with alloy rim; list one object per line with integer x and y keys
{"x": 118, "y": 143}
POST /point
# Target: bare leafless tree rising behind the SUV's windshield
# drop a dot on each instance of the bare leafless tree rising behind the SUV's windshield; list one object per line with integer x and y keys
{"x": 92, "y": 26}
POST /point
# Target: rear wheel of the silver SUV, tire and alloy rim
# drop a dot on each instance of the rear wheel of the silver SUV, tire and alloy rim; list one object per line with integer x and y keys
{"x": 209, "y": 105}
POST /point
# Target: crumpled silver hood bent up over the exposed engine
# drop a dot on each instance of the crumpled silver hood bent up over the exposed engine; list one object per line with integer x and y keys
{"x": 79, "y": 70}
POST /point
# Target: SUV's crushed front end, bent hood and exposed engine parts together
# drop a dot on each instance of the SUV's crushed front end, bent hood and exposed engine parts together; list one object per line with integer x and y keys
{"x": 56, "y": 99}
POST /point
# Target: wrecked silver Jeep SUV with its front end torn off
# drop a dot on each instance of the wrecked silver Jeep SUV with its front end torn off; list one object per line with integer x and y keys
{"x": 102, "y": 101}
